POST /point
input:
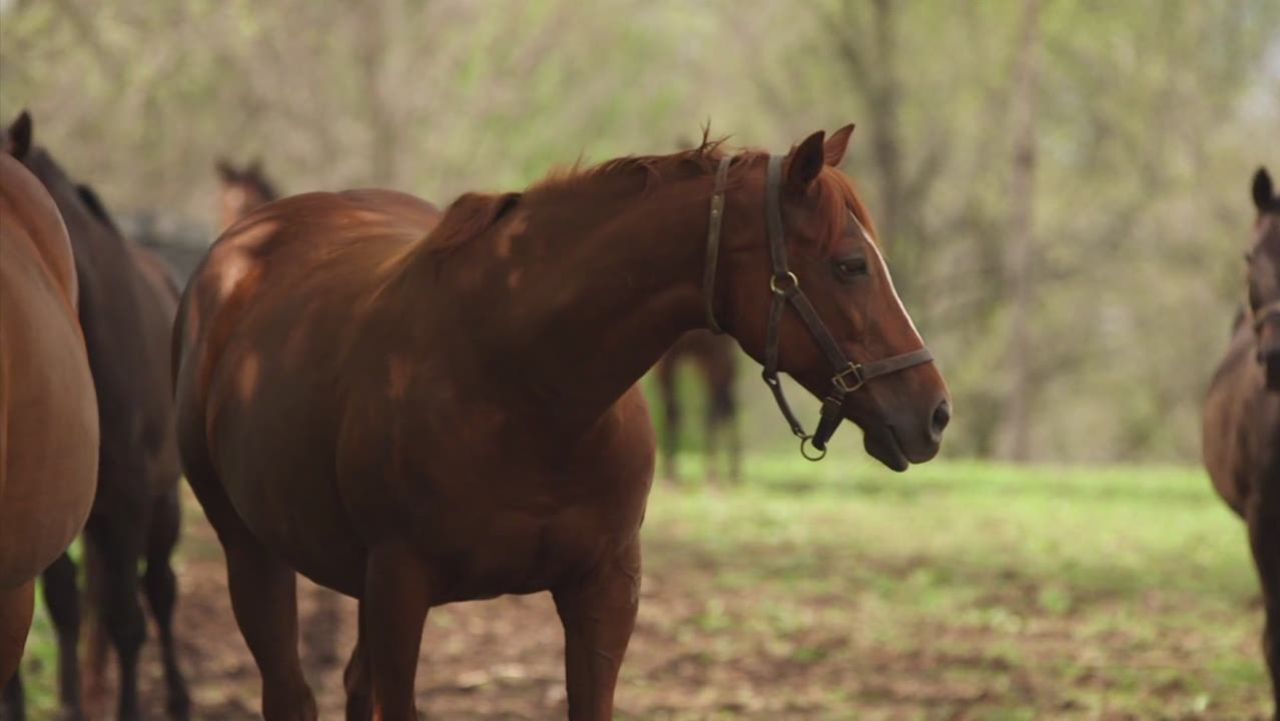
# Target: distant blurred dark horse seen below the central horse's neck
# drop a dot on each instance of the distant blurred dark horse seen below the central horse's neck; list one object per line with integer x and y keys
{"x": 715, "y": 358}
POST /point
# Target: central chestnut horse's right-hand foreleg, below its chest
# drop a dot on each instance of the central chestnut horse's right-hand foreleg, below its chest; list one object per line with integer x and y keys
{"x": 598, "y": 614}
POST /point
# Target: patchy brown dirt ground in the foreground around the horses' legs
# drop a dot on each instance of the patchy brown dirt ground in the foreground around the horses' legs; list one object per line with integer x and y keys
{"x": 776, "y": 632}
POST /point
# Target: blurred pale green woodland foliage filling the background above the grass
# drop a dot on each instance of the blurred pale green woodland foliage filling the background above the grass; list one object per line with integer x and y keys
{"x": 1151, "y": 116}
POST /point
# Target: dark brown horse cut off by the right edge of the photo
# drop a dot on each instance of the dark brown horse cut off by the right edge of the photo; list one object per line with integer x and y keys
{"x": 1242, "y": 418}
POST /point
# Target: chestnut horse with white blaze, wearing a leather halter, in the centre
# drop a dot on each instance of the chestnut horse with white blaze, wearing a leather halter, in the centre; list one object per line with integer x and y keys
{"x": 418, "y": 414}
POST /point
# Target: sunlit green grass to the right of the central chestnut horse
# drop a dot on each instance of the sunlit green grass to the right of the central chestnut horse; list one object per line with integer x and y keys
{"x": 1123, "y": 591}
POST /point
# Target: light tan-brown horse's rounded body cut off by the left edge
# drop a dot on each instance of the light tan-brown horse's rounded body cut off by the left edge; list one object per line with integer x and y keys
{"x": 48, "y": 408}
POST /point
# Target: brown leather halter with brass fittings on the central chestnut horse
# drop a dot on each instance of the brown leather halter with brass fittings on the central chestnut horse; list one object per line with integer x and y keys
{"x": 785, "y": 288}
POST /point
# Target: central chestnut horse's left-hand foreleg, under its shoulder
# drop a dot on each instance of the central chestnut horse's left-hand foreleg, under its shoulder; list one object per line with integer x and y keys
{"x": 397, "y": 596}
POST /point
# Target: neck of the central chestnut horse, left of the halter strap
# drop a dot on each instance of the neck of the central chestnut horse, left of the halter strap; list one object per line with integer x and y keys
{"x": 588, "y": 314}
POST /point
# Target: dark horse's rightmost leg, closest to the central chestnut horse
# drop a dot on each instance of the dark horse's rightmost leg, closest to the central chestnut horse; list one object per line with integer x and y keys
{"x": 162, "y": 592}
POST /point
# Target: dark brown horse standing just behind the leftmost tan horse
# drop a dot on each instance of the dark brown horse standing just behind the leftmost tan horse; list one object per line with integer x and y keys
{"x": 127, "y": 304}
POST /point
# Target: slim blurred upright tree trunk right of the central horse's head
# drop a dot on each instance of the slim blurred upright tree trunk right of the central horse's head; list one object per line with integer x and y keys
{"x": 1021, "y": 255}
